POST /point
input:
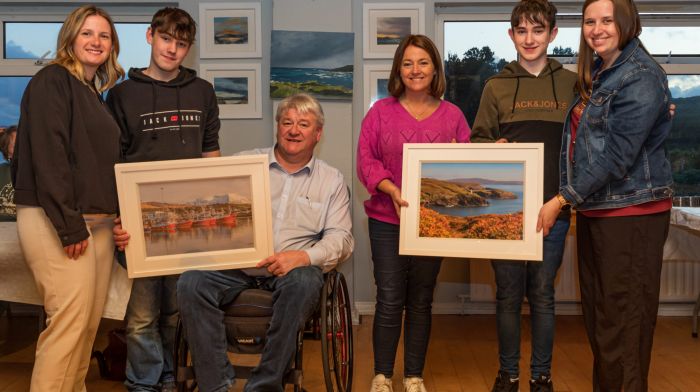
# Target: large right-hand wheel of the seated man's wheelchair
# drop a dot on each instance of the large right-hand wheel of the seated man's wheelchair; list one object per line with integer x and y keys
{"x": 336, "y": 334}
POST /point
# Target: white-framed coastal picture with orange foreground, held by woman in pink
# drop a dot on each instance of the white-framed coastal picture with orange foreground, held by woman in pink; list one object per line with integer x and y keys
{"x": 472, "y": 200}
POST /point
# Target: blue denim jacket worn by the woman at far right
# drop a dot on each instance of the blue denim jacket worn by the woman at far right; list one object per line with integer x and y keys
{"x": 619, "y": 154}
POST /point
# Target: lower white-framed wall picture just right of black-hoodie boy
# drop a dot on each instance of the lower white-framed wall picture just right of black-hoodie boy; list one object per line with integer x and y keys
{"x": 238, "y": 88}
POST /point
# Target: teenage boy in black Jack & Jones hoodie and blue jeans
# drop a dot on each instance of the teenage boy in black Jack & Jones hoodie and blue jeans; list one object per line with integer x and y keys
{"x": 165, "y": 112}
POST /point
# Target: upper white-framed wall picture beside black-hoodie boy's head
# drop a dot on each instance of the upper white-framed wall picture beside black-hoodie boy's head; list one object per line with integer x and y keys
{"x": 230, "y": 30}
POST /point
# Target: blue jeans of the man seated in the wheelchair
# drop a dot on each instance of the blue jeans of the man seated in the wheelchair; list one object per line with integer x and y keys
{"x": 201, "y": 294}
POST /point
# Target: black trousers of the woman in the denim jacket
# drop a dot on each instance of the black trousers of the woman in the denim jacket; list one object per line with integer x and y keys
{"x": 619, "y": 274}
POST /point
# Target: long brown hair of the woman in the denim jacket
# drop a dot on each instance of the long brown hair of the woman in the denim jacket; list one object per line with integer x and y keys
{"x": 628, "y": 25}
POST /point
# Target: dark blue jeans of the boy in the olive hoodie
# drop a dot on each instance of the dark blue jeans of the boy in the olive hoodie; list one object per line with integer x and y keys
{"x": 514, "y": 281}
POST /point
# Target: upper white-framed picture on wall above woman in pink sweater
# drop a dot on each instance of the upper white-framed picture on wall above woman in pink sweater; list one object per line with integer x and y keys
{"x": 386, "y": 24}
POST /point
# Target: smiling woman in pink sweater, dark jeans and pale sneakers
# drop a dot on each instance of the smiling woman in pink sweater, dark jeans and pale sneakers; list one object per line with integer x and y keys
{"x": 413, "y": 114}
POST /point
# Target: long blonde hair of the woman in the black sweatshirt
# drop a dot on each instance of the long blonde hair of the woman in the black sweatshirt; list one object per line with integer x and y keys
{"x": 109, "y": 72}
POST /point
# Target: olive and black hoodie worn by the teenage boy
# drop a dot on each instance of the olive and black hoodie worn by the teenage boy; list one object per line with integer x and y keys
{"x": 521, "y": 107}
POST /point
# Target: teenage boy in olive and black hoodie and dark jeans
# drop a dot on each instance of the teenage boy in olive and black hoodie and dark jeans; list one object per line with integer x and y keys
{"x": 528, "y": 102}
